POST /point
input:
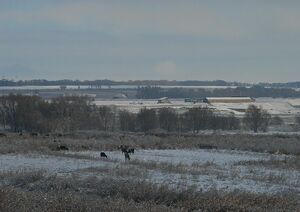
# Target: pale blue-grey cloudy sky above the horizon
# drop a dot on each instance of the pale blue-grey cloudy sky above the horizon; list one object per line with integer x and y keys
{"x": 232, "y": 40}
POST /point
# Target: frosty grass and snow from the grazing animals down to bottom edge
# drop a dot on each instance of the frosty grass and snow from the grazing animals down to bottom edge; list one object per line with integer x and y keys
{"x": 155, "y": 180}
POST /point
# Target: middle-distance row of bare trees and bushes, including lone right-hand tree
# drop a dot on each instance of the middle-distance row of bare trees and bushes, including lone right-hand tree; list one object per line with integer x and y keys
{"x": 67, "y": 114}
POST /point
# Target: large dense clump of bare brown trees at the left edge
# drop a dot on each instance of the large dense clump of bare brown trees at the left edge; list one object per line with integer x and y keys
{"x": 32, "y": 114}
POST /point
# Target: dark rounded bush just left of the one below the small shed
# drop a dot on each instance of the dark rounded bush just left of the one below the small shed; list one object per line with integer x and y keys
{"x": 146, "y": 119}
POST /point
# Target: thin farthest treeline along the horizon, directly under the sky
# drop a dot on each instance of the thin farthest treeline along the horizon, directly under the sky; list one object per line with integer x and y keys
{"x": 43, "y": 82}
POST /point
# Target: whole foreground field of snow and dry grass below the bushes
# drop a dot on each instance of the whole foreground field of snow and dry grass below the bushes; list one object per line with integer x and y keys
{"x": 164, "y": 173}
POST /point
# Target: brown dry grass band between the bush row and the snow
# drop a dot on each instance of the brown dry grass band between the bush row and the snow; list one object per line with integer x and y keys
{"x": 286, "y": 144}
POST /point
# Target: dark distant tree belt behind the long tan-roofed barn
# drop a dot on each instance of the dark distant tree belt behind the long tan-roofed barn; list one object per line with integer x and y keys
{"x": 152, "y": 92}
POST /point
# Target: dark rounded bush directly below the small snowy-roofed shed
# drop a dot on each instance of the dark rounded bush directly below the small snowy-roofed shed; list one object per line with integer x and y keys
{"x": 167, "y": 119}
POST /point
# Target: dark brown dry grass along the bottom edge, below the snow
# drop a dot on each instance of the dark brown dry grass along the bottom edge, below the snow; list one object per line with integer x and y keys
{"x": 52, "y": 193}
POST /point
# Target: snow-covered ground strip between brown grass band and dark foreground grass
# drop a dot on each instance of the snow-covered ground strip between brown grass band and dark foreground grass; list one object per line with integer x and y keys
{"x": 202, "y": 169}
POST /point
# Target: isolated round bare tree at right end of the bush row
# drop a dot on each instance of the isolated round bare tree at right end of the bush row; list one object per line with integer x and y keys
{"x": 256, "y": 118}
